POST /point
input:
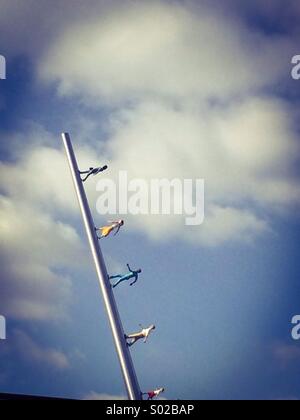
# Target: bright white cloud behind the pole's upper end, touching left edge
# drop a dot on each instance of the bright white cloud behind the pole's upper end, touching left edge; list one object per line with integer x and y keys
{"x": 40, "y": 174}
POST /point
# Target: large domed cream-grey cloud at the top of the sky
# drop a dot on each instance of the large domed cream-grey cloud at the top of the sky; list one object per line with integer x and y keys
{"x": 141, "y": 50}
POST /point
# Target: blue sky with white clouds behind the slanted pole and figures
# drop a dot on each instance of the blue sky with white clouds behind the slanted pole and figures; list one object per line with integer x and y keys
{"x": 162, "y": 89}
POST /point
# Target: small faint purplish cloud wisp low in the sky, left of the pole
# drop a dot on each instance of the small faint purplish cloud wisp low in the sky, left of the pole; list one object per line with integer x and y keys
{"x": 31, "y": 352}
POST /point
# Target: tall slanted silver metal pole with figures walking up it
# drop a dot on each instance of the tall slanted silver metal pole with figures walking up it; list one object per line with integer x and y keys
{"x": 128, "y": 371}
